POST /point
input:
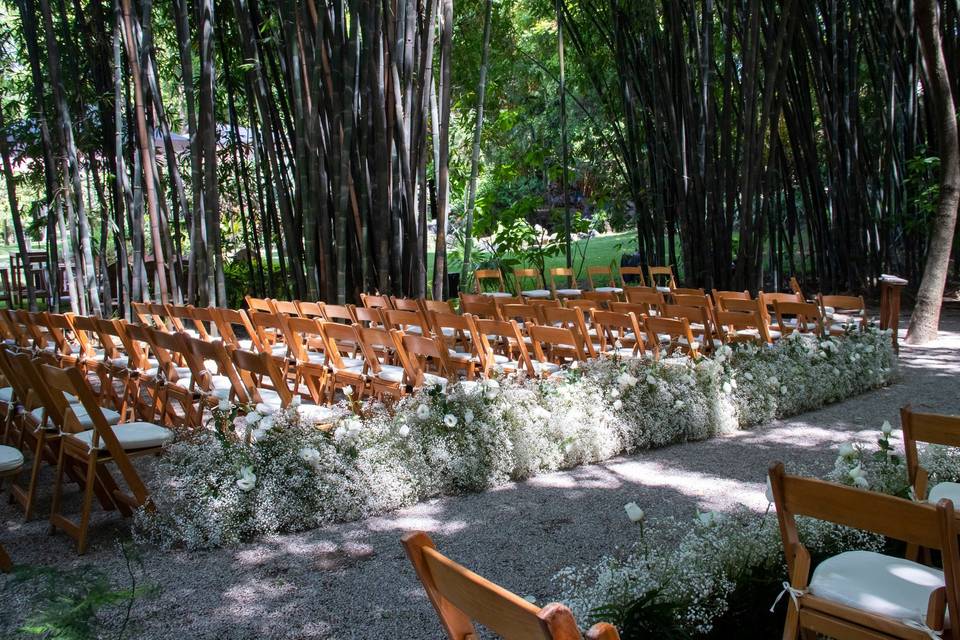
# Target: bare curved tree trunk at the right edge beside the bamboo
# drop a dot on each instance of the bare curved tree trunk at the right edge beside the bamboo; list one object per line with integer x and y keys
{"x": 925, "y": 320}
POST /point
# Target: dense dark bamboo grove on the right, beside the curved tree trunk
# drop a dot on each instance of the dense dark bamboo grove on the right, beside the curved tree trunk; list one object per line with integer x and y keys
{"x": 756, "y": 133}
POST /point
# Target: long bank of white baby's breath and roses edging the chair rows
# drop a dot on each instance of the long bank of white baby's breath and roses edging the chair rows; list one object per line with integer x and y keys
{"x": 269, "y": 472}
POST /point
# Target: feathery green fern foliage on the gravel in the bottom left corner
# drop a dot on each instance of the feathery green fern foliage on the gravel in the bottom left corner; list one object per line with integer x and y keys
{"x": 67, "y": 603}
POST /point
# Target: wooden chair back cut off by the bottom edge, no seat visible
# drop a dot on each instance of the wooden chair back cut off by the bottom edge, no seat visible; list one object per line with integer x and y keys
{"x": 461, "y": 597}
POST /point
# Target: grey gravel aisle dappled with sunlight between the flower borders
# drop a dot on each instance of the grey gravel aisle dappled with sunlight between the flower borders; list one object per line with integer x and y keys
{"x": 353, "y": 580}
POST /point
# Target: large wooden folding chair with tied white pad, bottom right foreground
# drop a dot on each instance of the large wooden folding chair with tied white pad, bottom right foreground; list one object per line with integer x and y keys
{"x": 863, "y": 594}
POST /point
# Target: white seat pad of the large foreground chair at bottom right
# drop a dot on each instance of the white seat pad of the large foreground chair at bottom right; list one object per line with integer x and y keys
{"x": 879, "y": 584}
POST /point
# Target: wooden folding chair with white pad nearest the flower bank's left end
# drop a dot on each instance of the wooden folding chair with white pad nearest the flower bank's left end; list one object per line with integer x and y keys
{"x": 93, "y": 449}
